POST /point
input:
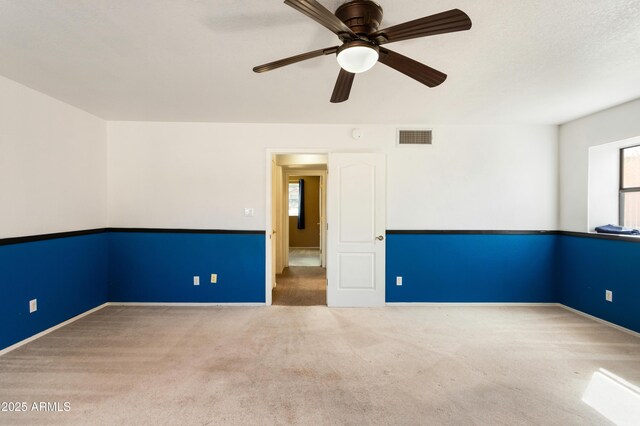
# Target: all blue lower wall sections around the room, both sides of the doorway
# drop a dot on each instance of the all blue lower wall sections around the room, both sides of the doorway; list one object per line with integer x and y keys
{"x": 71, "y": 275}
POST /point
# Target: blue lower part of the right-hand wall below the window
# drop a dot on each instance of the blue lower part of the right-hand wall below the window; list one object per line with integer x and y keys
{"x": 587, "y": 267}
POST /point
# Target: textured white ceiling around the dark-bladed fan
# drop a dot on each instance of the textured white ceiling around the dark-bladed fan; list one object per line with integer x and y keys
{"x": 525, "y": 61}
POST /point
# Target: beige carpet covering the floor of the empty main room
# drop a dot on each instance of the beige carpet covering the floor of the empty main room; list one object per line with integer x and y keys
{"x": 319, "y": 366}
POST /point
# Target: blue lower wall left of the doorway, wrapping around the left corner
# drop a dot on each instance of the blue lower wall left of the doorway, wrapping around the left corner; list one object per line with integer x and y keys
{"x": 71, "y": 273}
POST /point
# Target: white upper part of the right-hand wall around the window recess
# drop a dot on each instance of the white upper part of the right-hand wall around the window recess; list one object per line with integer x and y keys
{"x": 576, "y": 137}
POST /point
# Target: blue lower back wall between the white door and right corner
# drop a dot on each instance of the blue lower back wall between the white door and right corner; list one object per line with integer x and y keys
{"x": 471, "y": 268}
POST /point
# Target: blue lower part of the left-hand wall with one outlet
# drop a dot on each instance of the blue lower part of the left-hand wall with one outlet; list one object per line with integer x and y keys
{"x": 68, "y": 276}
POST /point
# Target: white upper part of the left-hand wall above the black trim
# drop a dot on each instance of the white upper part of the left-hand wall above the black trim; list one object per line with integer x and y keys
{"x": 52, "y": 165}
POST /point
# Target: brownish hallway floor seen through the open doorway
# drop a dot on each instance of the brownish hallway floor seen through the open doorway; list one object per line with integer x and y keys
{"x": 301, "y": 286}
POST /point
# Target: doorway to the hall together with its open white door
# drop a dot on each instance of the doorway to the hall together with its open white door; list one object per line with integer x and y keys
{"x": 353, "y": 197}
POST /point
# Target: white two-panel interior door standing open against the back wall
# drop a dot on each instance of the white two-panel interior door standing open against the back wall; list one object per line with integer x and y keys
{"x": 356, "y": 246}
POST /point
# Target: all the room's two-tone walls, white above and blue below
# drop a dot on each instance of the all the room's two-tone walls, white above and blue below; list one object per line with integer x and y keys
{"x": 62, "y": 169}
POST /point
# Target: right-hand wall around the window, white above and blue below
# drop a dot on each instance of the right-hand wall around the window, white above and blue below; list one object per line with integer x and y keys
{"x": 589, "y": 265}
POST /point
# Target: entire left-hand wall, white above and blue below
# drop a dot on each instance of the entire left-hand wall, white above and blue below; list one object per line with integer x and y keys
{"x": 53, "y": 174}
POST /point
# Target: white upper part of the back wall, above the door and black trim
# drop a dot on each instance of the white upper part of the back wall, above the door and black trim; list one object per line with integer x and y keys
{"x": 203, "y": 175}
